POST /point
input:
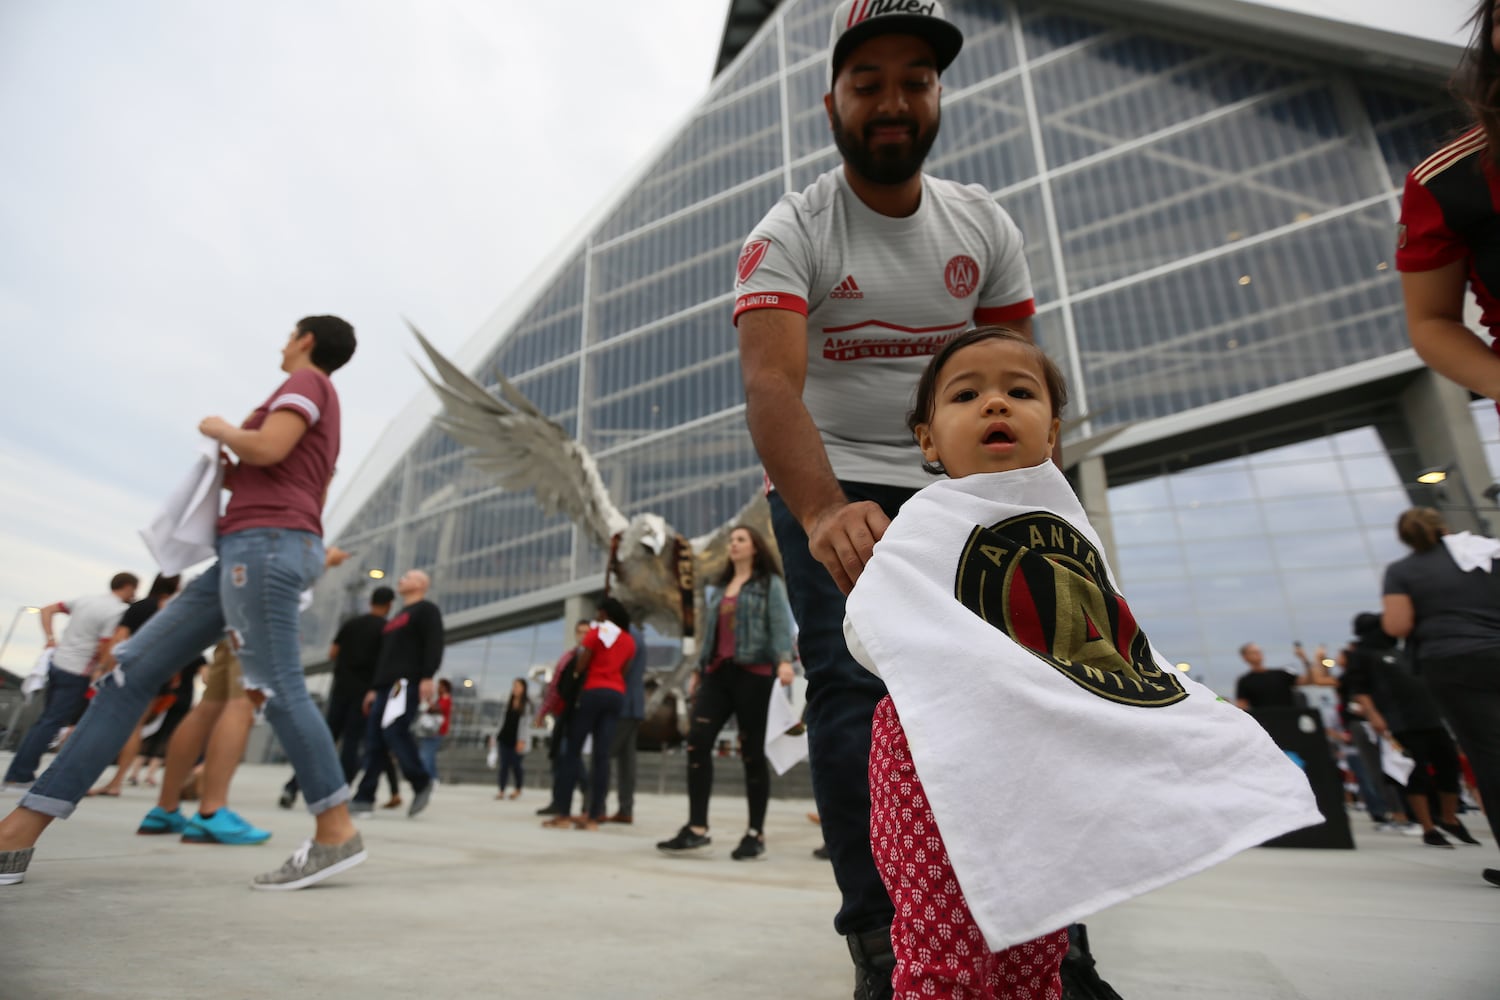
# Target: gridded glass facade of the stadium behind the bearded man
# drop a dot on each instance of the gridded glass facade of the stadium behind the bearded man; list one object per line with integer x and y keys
{"x": 1202, "y": 224}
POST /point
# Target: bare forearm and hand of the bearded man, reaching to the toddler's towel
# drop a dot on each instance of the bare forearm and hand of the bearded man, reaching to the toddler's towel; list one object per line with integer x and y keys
{"x": 773, "y": 359}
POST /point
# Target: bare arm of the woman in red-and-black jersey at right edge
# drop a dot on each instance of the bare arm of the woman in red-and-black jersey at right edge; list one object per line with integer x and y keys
{"x": 1435, "y": 307}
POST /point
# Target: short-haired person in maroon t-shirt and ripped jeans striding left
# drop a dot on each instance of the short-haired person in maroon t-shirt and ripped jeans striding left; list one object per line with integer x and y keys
{"x": 269, "y": 552}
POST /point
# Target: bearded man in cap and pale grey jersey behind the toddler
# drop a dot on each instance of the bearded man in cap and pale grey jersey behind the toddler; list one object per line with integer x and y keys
{"x": 844, "y": 292}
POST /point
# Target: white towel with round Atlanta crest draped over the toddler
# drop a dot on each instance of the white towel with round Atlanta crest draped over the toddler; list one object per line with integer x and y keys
{"x": 1070, "y": 779}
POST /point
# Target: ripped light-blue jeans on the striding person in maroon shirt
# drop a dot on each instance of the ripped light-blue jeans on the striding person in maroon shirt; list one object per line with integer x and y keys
{"x": 251, "y": 593}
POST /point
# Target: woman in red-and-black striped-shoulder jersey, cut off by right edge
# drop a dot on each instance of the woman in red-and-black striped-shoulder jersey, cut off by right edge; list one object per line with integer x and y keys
{"x": 1450, "y": 233}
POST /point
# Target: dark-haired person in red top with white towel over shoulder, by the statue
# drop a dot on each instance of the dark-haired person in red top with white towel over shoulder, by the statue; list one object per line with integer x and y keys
{"x": 602, "y": 660}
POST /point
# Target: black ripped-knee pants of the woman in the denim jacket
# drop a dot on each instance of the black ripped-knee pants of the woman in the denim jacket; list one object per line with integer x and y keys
{"x": 727, "y": 692}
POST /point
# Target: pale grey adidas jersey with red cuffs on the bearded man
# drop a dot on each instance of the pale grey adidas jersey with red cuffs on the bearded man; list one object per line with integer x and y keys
{"x": 881, "y": 296}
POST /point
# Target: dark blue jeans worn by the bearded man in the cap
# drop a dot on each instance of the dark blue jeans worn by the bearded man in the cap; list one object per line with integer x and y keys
{"x": 841, "y": 708}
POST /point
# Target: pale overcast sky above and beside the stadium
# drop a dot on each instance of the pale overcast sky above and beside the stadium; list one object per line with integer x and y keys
{"x": 181, "y": 182}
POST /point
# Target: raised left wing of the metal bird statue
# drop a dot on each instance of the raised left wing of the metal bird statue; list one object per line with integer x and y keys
{"x": 517, "y": 443}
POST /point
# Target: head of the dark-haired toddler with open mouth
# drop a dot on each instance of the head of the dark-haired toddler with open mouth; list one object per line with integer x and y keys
{"x": 991, "y": 412}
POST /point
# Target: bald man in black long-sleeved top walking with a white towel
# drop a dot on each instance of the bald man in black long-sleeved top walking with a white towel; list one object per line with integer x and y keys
{"x": 410, "y": 656}
